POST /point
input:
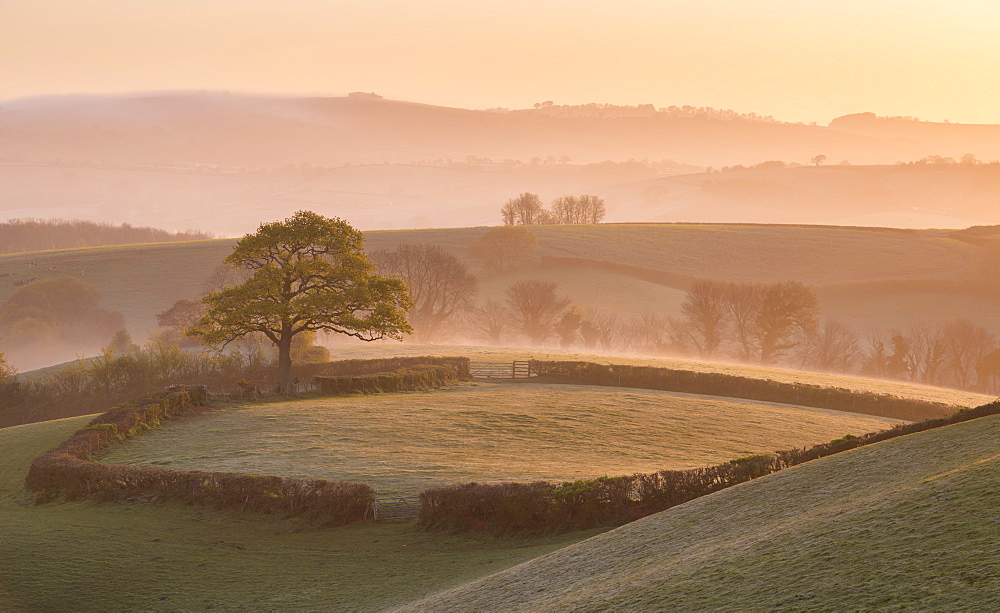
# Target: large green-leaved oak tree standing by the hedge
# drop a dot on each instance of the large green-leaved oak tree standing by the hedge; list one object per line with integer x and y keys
{"x": 307, "y": 273}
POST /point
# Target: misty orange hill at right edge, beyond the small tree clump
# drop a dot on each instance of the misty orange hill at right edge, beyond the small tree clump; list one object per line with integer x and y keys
{"x": 921, "y": 195}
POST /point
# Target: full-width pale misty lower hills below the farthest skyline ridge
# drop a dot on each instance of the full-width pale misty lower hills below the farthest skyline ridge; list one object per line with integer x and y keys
{"x": 390, "y": 196}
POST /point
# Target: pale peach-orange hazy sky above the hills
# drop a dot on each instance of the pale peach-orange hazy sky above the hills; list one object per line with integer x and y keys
{"x": 793, "y": 59}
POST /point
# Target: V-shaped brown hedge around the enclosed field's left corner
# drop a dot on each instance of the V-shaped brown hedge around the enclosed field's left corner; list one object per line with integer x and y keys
{"x": 70, "y": 471}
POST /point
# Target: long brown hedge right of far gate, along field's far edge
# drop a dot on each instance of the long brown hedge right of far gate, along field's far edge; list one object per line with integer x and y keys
{"x": 734, "y": 386}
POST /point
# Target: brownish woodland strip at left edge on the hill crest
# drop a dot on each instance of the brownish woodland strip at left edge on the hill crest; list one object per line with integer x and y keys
{"x": 19, "y": 235}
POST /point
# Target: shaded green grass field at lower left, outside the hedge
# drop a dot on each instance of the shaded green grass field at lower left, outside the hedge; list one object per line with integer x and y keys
{"x": 85, "y": 557}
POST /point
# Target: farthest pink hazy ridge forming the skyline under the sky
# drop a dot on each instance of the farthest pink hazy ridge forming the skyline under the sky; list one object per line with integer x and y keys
{"x": 206, "y": 129}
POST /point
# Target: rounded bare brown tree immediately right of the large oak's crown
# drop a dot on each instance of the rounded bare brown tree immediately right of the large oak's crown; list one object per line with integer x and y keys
{"x": 439, "y": 283}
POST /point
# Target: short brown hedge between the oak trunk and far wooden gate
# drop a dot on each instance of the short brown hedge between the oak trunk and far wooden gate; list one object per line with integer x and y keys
{"x": 417, "y": 377}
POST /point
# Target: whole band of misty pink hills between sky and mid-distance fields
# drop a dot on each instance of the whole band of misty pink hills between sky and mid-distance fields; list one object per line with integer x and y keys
{"x": 219, "y": 162}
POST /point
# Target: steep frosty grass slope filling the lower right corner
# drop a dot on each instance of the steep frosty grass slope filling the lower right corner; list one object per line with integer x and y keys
{"x": 908, "y": 524}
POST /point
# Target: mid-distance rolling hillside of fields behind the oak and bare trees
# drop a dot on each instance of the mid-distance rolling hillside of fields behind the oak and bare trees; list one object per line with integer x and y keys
{"x": 869, "y": 278}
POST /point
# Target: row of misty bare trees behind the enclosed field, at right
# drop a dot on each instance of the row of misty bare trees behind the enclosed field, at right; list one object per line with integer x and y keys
{"x": 765, "y": 323}
